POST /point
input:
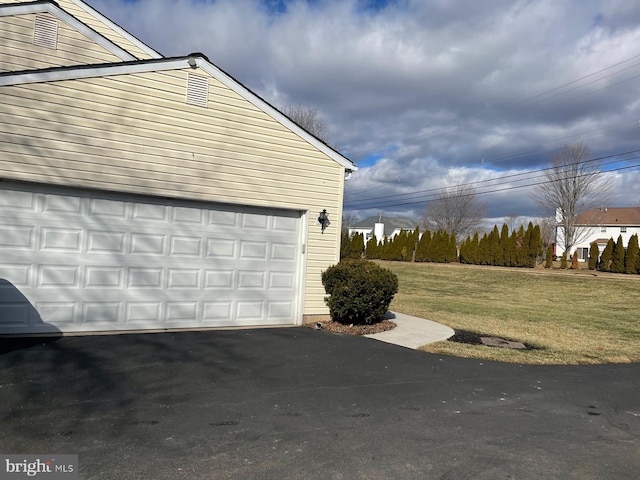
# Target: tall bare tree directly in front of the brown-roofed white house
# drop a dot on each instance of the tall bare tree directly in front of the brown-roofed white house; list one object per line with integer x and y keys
{"x": 573, "y": 185}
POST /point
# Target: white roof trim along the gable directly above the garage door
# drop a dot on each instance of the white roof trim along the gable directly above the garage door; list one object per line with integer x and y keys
{"x": 104, "y": 70}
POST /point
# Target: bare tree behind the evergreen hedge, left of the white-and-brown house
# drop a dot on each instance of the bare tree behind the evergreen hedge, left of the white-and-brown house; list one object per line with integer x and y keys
{"x": 456, "y": 210}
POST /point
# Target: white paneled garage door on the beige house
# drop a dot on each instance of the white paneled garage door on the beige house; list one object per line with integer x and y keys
{"x": 76, "y": 261}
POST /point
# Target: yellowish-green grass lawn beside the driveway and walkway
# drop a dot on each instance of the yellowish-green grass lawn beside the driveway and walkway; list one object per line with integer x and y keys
{"x": 574, "y": 317}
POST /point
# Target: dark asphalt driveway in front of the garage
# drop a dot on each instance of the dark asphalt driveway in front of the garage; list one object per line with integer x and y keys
{"x": 294, "y": 403}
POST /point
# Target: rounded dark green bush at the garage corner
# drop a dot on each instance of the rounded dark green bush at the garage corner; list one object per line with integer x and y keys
{"x": 359, "y": 292}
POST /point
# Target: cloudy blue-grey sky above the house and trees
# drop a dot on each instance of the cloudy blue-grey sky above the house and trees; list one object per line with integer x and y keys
{"x": 428, "y": 94}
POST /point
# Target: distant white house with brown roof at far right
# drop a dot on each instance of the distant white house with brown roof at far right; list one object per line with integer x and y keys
{"x": 599, "y": 225}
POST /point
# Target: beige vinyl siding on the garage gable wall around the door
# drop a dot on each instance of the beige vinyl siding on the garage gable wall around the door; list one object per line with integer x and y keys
{"x": 134, "y": 133}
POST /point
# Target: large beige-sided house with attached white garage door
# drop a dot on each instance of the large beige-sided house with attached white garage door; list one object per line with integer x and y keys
{"x": 142, "y": 192}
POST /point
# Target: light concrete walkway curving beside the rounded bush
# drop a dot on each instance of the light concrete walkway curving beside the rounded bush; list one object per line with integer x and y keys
{"x": 413, "y": 332}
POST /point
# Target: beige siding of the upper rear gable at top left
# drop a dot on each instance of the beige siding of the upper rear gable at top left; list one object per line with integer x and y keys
{"x": 17, "y": 51}
